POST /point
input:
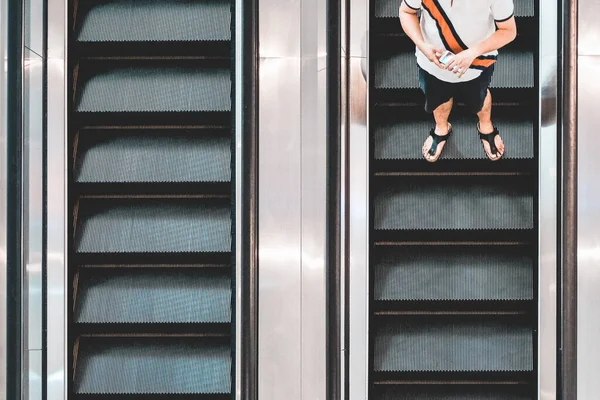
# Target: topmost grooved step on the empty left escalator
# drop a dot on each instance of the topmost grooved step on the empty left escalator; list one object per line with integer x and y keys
{"x": 157, "y": 20}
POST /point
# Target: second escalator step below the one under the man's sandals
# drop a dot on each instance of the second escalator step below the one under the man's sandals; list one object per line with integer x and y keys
{"x": 452, "y": 273}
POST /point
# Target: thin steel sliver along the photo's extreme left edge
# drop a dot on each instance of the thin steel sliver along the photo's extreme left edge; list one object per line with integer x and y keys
{"x": 3, "y": 187}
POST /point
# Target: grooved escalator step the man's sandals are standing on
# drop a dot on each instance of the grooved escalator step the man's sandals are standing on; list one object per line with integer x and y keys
{"x": 403, "y": 140}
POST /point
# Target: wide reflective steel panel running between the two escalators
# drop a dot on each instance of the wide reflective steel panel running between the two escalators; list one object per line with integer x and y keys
{"x": 291, "y": 195}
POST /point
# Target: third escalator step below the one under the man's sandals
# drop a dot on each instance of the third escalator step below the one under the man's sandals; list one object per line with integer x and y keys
{"x": 479, "y": 346}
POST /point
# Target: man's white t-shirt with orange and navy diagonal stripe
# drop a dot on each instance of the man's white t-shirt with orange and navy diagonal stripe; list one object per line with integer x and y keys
{"x": 456, "y": 25}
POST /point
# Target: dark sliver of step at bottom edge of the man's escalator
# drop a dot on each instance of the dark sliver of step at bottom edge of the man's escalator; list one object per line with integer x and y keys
{"x": 450, "y": 393}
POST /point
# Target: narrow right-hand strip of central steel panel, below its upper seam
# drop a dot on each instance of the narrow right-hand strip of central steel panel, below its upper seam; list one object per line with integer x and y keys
{"x": 314, "y": 174}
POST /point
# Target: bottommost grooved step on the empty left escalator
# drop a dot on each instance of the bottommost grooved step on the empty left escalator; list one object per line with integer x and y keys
{"x": 152, "y": 366}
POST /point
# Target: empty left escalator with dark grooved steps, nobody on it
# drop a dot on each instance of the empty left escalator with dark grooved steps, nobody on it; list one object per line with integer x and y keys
{"x": 152, "y": 194}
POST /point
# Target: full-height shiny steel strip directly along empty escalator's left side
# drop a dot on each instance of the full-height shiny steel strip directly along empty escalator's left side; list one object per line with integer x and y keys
{"x": 56, "y": 202}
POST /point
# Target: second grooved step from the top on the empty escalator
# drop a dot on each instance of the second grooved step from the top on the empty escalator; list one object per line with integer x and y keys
{"x": 154, "y": 89}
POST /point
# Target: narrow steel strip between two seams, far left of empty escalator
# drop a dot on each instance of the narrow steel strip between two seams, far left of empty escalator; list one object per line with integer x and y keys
{"x": 32, "y": 178}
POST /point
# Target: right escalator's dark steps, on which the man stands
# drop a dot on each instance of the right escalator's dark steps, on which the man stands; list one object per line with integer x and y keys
{"x": 453, "y": 251}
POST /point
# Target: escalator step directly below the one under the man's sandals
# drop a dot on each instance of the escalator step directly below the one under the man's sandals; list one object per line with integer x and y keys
{"x": 454, "y": 202}
